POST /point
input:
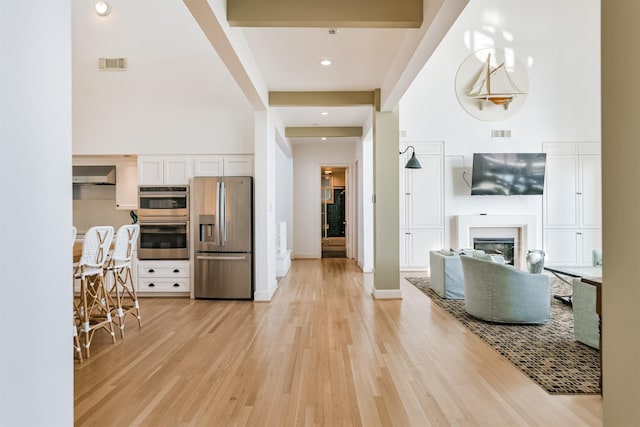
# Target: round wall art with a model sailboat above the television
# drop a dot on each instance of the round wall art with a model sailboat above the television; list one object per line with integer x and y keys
{"x": 492, "y": 84}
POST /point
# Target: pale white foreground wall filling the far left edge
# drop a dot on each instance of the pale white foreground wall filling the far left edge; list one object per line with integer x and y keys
{"x": 36, "y": 366}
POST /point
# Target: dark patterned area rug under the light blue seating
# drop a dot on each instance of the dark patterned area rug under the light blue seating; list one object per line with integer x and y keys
{"x": 548, "y": 354}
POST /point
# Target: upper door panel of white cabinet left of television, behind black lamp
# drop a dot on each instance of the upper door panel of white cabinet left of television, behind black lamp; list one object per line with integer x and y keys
{"x": 426, "y": 186}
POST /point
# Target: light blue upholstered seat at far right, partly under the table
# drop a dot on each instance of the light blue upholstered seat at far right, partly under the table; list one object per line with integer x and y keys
{"x": 585, "y": 319}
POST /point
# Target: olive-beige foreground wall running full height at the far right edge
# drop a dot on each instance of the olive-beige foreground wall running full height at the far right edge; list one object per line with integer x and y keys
{"x": 621, "y": 209}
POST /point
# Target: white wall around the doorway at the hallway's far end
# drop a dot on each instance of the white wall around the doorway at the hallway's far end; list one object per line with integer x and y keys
{"x": 307, "y": 159}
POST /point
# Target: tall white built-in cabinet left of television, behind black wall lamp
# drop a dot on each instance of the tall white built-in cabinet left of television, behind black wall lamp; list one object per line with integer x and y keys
{"x": 421, "y": 205}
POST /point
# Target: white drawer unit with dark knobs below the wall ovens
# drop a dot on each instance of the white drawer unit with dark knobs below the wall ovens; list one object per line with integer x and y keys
{"x": 163, "y": 276}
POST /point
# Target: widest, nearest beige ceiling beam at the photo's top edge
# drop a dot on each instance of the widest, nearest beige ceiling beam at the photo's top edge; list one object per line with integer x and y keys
{"x": 325, "y": 13}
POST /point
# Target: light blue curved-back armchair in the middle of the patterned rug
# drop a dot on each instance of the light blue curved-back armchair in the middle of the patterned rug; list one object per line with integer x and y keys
{"x": 500, "y": 293}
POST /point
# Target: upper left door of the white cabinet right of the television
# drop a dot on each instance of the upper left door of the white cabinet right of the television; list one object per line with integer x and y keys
{"x": 560, "y": 207}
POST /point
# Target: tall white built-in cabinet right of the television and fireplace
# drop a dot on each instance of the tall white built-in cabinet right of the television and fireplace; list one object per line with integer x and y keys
{"x": 572, "y": 202}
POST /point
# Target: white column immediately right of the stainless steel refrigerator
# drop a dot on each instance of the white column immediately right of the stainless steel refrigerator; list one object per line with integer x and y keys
{"x": 264, "y": 208}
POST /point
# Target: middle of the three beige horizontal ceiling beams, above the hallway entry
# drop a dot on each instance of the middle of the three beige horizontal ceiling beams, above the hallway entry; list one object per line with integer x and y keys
{"x": 323, "y": 99}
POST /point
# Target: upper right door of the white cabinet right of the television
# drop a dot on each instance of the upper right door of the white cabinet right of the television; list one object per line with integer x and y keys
{"x": 591, "y": 192}
